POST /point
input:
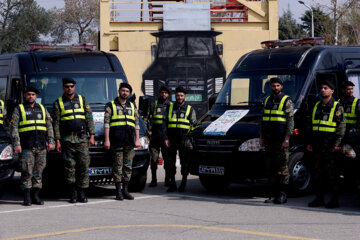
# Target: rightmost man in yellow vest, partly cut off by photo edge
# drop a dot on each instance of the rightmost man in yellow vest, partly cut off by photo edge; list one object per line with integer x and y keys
{"x": 351, "y": 110}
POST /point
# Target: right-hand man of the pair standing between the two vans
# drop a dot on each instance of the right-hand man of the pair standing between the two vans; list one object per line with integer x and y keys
{"x": 180, "y": 119}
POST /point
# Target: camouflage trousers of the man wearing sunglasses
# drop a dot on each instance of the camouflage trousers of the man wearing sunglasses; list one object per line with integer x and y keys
{"x": 77, "y": 160}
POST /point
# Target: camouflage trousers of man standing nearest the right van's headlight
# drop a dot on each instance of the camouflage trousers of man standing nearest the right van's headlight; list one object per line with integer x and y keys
{"x": 277, "y": 159}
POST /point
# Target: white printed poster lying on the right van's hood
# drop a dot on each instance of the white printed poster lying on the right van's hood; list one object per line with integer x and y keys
{"x": 222, "y": 125}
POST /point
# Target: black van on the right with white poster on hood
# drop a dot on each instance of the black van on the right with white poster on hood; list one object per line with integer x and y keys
{"x": 231, "y": 152}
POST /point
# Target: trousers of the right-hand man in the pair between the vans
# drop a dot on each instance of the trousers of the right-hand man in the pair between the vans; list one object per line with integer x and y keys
{"x": 176, "y": 146}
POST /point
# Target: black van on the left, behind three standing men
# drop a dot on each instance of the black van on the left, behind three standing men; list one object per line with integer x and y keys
{"x": 98, "y": 76}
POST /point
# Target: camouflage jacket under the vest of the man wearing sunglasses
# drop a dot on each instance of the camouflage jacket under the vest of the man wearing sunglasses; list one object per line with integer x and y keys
{"x": 73, "y": 138}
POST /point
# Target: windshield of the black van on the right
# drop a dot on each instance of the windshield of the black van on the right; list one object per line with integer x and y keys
{"x": 252, "y": 88}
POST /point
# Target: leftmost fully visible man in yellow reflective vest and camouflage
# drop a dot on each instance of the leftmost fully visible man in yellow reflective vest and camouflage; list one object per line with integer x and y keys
{"x": 32, "y": 135}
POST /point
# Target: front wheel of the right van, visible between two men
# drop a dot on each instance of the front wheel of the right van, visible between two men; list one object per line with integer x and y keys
{"x": 300, "y": 176}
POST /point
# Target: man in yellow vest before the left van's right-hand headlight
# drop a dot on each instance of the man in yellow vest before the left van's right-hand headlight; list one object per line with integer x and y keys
{"x": 121, "y": 122}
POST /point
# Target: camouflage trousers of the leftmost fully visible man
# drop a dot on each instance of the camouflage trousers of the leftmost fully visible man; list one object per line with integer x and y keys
{"x": 33, "y": 162}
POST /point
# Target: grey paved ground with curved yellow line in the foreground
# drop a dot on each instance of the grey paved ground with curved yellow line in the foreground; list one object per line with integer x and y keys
{"x": 237, "y": 214}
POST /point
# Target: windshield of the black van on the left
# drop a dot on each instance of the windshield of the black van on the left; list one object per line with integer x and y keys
{"x": 98, "y": 88}
